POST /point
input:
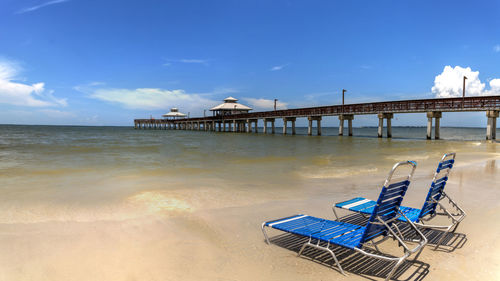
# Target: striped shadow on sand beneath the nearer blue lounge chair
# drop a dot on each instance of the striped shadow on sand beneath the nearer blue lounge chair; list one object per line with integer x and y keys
{"x": 353, "y": 262}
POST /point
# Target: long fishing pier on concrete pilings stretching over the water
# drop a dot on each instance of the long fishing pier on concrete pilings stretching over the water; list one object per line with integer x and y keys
{"x": 248, "y": 121}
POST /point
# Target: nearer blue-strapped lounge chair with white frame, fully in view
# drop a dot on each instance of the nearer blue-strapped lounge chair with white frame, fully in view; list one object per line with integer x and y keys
{"x": 355, "y": 237}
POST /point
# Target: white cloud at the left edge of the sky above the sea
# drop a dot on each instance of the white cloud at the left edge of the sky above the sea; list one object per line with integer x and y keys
{"x": 16, "y": 93}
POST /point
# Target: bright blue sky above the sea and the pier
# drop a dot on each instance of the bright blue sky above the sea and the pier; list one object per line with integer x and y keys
{"x": 89, "y": 62}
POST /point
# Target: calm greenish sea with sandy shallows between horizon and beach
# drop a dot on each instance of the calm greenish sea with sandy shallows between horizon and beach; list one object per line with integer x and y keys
{"x": 67, "y": 173}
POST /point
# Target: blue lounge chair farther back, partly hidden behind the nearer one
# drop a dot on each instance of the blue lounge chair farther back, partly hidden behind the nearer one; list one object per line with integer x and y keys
{"x": 420, "y": 217}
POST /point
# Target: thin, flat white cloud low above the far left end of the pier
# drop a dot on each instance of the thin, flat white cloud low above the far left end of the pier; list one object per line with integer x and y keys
{"x": 153, "y": 99}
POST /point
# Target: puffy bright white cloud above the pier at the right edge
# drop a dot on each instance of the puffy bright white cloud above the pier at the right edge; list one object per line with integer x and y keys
{"x": 450, "y": 83}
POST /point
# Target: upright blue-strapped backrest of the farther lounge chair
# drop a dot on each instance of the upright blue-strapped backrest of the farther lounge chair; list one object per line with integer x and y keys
{"x": 437, "y": 186}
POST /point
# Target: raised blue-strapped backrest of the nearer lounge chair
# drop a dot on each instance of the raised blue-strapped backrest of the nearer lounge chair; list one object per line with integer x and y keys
{"x": 388, "y": 202}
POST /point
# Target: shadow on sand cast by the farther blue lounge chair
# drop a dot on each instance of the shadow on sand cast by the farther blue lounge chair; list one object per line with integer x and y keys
{"x": 450, "y": 243}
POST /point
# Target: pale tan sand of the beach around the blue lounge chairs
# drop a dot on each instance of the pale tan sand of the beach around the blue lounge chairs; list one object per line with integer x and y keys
{"x": 214, "y": 234}
